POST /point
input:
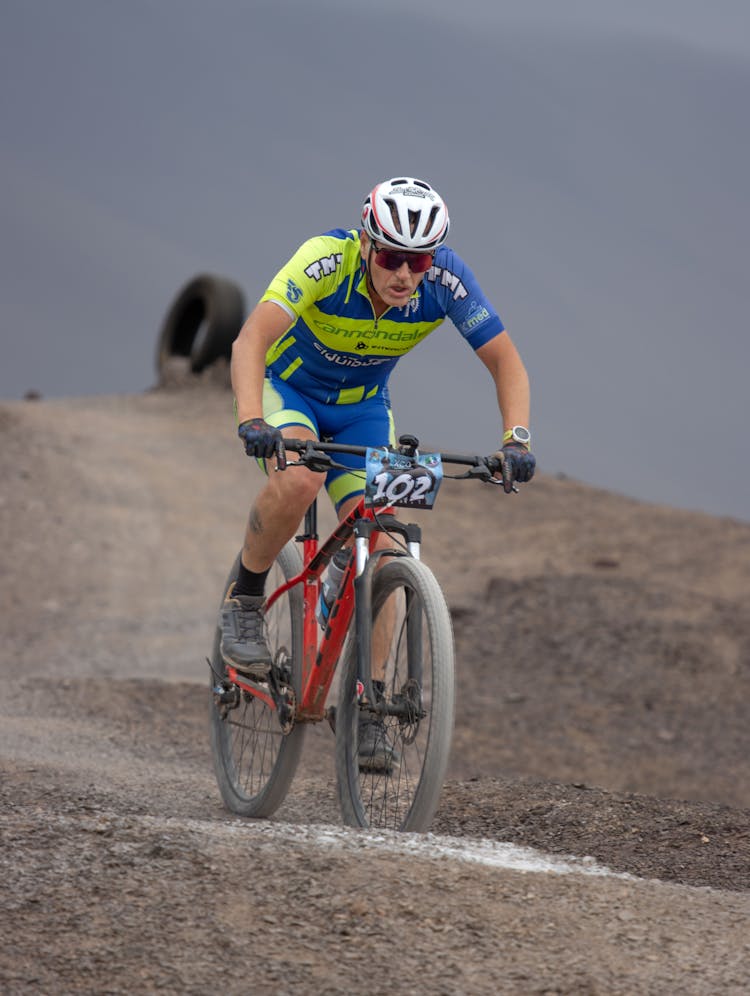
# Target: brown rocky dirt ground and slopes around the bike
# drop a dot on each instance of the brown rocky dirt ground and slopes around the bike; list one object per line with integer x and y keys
{"x": 604, "y": 670}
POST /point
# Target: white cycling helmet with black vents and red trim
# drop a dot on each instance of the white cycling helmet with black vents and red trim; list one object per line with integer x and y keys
{"x": 406, "y": 213}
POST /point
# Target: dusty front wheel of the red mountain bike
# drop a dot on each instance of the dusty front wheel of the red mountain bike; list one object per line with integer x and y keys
{"x": 406, "y": 794}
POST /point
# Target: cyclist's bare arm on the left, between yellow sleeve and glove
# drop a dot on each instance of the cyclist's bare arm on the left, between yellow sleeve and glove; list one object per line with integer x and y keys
{"x": 267, "y": 323}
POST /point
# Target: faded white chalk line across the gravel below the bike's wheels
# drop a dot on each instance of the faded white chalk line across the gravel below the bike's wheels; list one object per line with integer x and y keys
{"x": 330, "y": 838}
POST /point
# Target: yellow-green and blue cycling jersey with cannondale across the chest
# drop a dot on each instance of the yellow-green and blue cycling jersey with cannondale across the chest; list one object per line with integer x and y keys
{"x": 336, "y": 350}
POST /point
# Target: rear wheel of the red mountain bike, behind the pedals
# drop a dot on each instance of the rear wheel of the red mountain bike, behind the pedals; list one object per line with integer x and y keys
{"x": 254, "y": 761}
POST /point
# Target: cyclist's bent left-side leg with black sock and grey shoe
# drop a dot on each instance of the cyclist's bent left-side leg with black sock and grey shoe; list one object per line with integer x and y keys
{"x": 274, "y": 518}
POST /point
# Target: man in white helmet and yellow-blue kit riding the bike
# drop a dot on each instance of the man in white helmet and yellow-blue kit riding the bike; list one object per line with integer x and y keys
{"x": 314, "y": 357}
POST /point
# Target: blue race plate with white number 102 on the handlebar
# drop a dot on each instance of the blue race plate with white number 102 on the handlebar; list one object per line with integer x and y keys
{"x": 392, "y": 479}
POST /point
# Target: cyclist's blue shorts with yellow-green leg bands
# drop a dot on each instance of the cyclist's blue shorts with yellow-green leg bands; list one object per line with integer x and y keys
{"x": 365, "y": 422}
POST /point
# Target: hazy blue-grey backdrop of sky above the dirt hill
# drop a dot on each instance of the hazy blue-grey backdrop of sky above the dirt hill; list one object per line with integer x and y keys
{"x": 594, "y": 158}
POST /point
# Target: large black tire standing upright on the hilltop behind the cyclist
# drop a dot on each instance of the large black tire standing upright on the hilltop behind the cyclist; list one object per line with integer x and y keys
{"x": 202, "y": 323}
